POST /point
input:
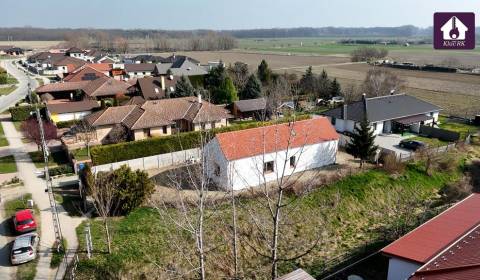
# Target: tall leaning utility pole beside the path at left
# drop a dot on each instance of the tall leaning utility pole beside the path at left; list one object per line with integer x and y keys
{"x": 53, "y": 205}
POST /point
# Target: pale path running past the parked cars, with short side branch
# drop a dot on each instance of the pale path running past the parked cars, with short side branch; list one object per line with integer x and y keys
{"x": 36, "y": 186}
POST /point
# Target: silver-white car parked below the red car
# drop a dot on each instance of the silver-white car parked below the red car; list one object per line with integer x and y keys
{"x": 24, "y": 248}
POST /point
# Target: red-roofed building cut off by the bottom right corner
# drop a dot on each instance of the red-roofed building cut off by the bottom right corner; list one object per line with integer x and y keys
{"x": 445, "y": 247}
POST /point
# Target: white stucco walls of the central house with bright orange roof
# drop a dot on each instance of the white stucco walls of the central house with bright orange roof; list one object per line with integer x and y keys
{"x": 247, "y": 172}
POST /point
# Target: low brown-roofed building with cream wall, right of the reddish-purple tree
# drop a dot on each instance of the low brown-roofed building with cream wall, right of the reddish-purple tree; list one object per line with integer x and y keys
{"x": 60, "y": 111}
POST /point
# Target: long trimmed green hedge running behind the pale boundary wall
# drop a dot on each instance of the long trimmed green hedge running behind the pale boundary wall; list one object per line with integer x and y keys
{"x": 161, "y": 145}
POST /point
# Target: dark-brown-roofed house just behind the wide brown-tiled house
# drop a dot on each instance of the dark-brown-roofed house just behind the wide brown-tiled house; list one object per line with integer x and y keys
{"x": 151, "y": 88}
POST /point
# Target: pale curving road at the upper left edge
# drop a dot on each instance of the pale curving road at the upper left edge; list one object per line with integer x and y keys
{"x": 22, "y": 87}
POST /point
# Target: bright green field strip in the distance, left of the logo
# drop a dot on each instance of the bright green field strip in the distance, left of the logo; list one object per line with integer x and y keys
{"x": 321, "y": 46}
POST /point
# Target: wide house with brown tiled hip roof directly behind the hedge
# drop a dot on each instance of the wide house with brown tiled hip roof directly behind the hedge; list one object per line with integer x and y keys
{"x": 159, "y": 117}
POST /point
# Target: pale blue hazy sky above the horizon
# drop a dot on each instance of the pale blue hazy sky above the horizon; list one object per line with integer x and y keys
{"x": 226, "y": 14}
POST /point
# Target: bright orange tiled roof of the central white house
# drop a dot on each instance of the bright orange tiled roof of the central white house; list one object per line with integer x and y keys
{"x": 269, "y": 139}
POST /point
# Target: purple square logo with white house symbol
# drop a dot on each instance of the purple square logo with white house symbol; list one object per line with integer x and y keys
{"x": 454, "y": 31}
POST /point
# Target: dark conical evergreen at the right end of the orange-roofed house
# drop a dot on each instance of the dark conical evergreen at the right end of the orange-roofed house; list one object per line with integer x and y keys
{"x": 362, "y": 144}
